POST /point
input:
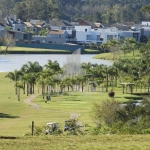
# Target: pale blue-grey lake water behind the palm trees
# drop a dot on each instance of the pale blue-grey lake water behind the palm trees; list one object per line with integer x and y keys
{"x": 15, "y": 61}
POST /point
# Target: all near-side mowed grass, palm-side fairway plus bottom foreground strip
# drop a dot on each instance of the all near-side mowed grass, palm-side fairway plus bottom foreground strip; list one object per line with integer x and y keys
{"x": 16, "y": 117}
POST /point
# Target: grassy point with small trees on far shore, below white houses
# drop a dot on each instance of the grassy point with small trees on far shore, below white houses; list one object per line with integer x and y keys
{"x": 115, "y": 49}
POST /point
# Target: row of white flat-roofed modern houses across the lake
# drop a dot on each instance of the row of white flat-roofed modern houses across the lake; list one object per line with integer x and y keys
{"x": 84, "y": 34}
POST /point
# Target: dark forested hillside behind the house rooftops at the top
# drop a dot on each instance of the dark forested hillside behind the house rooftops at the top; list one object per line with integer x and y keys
{"x": 104, "y": 11}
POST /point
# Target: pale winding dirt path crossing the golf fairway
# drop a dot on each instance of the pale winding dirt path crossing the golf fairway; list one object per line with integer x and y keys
{"x": 36, "y": 106}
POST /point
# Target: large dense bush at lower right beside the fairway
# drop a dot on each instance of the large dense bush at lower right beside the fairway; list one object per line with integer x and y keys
{"x": 129, "y": 119}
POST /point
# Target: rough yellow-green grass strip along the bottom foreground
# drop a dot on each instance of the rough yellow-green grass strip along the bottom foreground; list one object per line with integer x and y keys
{"x": 88, "y": 142}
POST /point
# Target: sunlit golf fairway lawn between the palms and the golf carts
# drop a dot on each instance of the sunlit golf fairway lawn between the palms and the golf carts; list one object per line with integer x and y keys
{"x": 16, "y": 116}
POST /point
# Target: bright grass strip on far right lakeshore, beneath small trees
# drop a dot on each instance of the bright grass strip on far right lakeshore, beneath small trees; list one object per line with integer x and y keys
{"x": 109, "y": 56}
